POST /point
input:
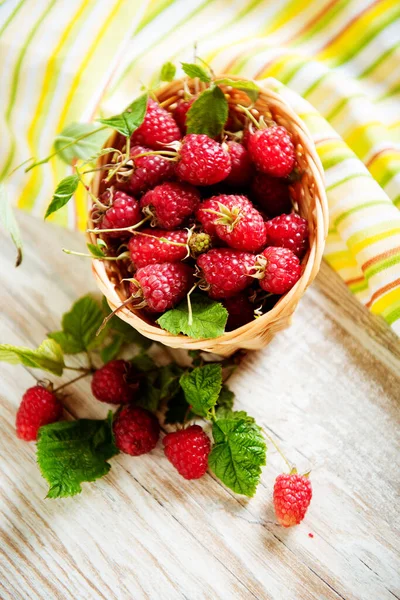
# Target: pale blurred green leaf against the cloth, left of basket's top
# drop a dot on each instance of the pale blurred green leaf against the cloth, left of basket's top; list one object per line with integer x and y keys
{"x": 79, "y": 148}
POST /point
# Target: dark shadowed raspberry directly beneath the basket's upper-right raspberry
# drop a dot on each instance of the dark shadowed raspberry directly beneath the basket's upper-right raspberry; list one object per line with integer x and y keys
{"x": 272, "y": 194}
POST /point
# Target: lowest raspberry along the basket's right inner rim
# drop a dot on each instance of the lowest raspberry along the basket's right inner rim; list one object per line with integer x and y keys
{"x": 279, "y": 268}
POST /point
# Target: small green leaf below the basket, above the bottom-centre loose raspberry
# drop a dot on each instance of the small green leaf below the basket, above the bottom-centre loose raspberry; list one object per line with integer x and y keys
{"x": 202, "y": 387}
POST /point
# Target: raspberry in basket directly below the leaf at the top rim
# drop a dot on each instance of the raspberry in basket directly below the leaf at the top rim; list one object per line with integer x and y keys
{"x": 202, "y": 161}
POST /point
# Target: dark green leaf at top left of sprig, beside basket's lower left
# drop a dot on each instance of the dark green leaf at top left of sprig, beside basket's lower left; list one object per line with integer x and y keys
{"x": 79, "y": 327}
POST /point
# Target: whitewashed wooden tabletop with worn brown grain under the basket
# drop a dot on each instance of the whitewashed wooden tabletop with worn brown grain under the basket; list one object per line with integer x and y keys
{"x": 327, "y": 388}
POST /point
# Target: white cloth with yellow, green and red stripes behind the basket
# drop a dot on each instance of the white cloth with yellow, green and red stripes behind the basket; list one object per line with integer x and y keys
{"x": 336, "y": 61}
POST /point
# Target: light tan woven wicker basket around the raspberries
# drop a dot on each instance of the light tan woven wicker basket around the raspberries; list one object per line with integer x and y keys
{"x": 309, "y": 194}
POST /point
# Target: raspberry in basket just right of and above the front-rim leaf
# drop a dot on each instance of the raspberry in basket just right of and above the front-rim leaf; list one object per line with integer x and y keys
{"x": 225, "y": 271}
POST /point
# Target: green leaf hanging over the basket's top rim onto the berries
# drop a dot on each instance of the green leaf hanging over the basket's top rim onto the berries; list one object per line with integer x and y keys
{"x": 209, "y": 113}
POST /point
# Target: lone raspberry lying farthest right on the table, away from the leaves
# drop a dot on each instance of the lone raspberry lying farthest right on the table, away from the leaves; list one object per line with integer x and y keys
{"x": 292, "y": 497}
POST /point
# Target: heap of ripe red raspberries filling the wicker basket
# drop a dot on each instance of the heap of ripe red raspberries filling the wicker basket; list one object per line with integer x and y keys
{"x": 219, "y": 214}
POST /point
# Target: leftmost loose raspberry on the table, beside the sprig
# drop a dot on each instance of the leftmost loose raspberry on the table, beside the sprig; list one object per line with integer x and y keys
{"x": 39, "y": 406}
